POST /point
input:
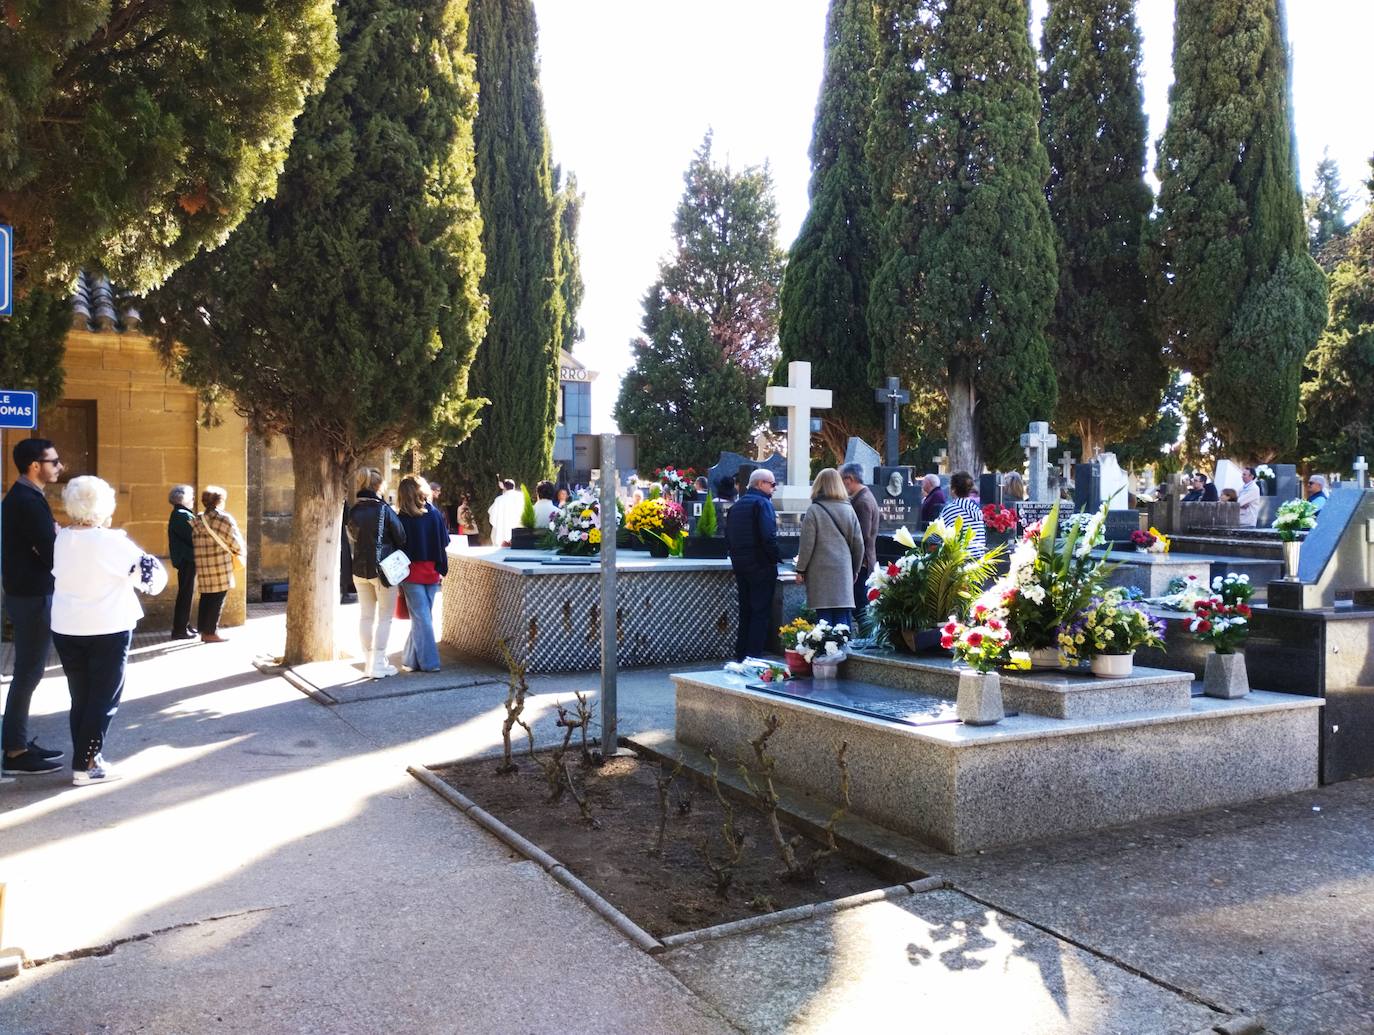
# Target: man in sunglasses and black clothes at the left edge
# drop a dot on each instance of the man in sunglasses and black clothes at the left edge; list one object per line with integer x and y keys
{"x": 27, "y": 538}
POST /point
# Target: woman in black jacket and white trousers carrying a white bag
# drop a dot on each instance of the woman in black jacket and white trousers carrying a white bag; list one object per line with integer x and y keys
{"x": 374, "y": 531}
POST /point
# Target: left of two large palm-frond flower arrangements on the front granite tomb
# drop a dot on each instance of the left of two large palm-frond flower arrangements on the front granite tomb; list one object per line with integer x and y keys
{"x": 934, "y": 579}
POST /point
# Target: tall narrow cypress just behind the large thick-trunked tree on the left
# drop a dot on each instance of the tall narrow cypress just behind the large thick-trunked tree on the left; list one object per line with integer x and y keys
{"x": 517, "y": 366}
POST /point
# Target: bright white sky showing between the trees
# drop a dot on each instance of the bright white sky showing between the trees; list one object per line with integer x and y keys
{"x": 631, "y": 89}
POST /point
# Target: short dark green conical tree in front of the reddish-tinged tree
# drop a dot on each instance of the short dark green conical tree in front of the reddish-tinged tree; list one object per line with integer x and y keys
{"x": 684, "y": 398}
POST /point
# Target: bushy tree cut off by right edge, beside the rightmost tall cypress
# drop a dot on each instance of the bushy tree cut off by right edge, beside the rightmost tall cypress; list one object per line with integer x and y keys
{"x": 1339, "y": 395}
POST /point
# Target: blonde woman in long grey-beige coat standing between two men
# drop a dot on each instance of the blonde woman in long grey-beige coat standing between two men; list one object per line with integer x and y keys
{"x": 832, "y": 550}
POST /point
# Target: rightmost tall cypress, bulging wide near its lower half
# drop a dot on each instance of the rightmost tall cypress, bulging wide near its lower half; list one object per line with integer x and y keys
{"x": 1241, "y": 299}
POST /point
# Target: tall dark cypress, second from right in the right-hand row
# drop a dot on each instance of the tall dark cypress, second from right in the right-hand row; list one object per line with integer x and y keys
{"x": 1111, "y": 369}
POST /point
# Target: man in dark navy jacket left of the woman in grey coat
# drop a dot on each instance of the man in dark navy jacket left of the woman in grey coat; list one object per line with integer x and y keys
{"x": 752, "y": 539}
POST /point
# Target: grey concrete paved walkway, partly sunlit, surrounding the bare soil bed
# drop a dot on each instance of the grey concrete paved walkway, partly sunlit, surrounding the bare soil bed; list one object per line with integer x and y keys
{"x": 269, "y": 867}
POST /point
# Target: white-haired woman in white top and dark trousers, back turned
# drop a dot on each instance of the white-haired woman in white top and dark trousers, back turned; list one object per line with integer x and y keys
{"x": 95, "y": 572}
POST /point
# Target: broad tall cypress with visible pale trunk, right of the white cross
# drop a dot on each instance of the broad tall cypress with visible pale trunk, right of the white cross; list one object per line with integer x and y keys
{"x": 968, "y": 273}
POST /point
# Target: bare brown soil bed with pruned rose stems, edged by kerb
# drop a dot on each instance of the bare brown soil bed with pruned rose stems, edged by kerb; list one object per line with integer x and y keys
{"x": 664, "y": 895}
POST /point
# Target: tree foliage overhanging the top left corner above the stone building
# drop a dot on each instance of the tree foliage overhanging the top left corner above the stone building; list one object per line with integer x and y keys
{"x": 135, "y": 134}
